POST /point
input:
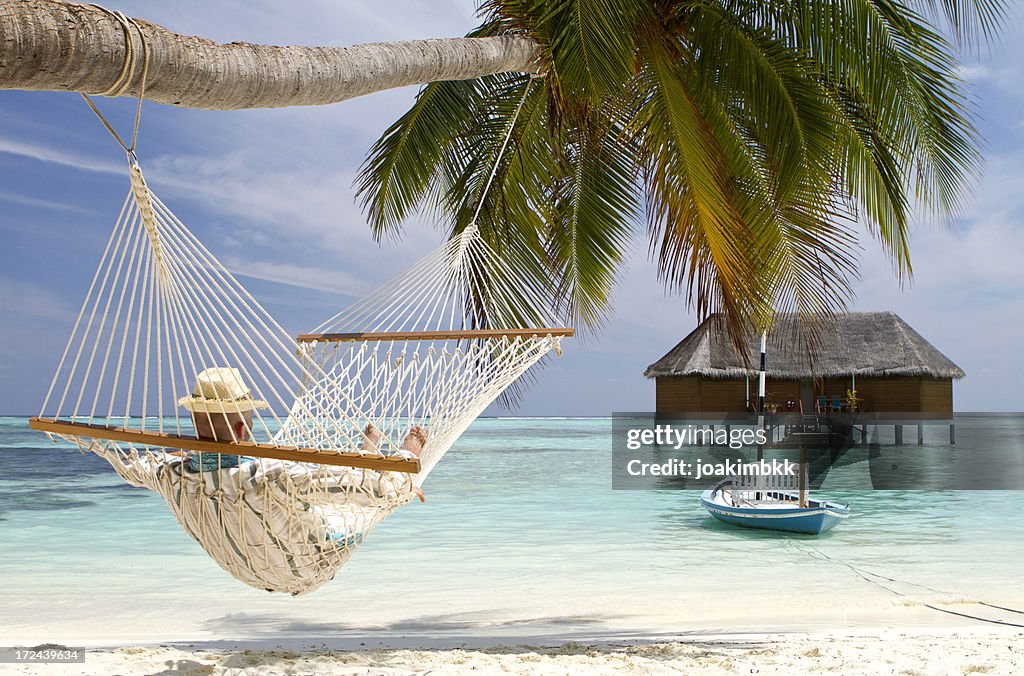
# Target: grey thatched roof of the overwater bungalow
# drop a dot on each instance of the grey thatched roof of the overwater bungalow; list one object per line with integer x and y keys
{"x": 861, "y": 344}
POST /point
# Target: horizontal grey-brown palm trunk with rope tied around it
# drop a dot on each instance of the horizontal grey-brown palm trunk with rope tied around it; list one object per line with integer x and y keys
{"x": 64, "y": 47}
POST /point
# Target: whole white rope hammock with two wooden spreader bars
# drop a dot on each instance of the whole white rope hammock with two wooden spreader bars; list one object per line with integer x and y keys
{"x": 433, "y": 349}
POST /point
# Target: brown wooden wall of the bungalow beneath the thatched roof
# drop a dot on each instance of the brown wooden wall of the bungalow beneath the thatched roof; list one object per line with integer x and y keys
{"x": 878, "y": 395}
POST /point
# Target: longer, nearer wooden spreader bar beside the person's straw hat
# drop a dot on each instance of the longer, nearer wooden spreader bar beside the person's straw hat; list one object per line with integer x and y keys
{"x": 165, "y": 440}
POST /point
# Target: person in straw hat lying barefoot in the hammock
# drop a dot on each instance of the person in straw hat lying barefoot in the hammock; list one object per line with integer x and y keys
{"x": 274, "y": 525}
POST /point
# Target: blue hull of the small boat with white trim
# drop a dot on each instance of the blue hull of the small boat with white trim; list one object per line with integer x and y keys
{"x": 815, "y": 520}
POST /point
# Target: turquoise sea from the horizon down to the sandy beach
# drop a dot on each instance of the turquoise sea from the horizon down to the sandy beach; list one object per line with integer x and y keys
{"x": 522, "y": 538}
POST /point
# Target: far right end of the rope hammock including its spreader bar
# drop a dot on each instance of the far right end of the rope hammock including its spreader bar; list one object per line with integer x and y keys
{"x": 411, "y": 353}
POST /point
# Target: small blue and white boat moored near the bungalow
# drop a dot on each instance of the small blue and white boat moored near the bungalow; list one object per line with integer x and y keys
{"x": 772, "y": 510}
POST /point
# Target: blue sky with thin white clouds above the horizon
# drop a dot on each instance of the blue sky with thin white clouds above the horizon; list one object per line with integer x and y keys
{"x": 270, "y": 193}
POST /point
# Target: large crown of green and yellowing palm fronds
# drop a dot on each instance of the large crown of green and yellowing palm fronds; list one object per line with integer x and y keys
{"x": 755, "y": 139}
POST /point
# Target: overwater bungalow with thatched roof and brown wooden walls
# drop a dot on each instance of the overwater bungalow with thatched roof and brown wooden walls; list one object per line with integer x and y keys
{"x": 866, "y": 362}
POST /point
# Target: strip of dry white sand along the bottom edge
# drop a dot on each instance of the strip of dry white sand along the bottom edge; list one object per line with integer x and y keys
{"x": 961, "y": 651}
